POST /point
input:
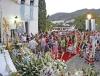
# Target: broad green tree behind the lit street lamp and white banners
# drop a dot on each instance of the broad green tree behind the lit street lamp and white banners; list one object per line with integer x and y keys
{"x": 80, "y": 21}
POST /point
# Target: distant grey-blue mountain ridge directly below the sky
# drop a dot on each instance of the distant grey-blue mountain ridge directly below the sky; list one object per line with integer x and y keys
{"x": 66, "y": 16}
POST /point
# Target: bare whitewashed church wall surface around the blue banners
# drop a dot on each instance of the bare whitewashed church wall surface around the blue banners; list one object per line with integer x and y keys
{"x": 12, "y": 9}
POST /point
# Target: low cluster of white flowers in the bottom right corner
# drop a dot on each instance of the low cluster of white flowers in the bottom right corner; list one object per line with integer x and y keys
{"x": 88, "y": 71}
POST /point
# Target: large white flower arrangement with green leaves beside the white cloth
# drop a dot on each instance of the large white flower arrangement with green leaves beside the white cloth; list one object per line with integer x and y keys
{"x": 40, "y": 65}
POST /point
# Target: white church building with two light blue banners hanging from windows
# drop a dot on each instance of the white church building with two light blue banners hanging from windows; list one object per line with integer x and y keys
{"x": 22, "y": 15}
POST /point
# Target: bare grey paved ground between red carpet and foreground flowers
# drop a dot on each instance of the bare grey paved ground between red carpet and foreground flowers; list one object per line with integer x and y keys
{"x": 78, "y": 62}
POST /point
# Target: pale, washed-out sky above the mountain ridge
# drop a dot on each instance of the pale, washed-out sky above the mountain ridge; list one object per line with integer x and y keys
{"x": 54, "y": 6}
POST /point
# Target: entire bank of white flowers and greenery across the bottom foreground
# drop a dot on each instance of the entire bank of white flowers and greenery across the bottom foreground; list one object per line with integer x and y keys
{"x": 42, "y": 64}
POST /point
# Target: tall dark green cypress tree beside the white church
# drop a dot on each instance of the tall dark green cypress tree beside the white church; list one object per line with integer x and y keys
{"x": 42, "y": 15}
